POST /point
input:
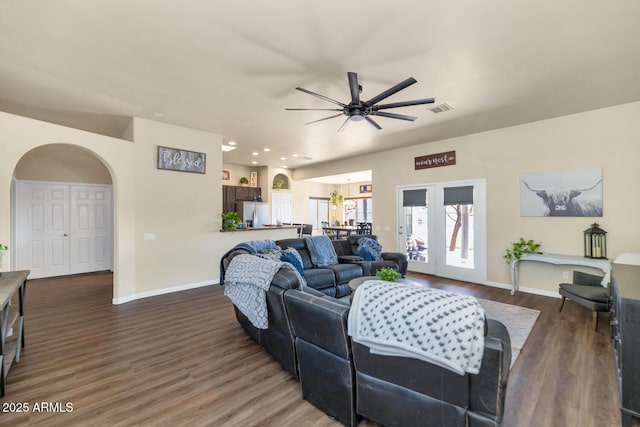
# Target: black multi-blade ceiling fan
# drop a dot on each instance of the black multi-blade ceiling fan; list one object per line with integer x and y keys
{"x": 358, "y": 110}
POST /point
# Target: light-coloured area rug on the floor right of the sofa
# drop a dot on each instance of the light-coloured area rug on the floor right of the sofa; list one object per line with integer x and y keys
{"x": 518, "y": 320}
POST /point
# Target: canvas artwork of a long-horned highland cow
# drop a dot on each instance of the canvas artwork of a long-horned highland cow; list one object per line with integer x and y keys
{"x": 562, "y": 193}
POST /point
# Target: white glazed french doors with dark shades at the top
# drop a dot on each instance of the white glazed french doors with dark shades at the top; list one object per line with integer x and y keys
{"x": 442, "y": 228}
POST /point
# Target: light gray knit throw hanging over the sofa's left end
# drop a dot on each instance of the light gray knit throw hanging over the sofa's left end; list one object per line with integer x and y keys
{"x": 246, "y": 283}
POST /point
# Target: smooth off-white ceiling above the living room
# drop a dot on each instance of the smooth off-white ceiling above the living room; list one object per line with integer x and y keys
{"x": 231, "y": 67}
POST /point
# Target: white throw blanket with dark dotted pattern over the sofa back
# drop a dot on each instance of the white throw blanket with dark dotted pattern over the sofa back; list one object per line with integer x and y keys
{"x": 407, "y": 320}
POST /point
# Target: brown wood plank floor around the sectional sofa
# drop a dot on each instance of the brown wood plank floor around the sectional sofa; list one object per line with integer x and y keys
{"x": 182, "y": 359}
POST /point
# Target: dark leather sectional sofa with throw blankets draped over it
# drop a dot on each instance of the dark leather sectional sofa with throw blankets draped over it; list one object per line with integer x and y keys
{"x": 307, "y": 335}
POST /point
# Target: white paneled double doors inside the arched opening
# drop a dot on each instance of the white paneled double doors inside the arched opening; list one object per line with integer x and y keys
{"x": 62, "y": 228}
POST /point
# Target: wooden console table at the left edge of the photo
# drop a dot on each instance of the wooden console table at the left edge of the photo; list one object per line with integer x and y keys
{"x": 11, "y": 282}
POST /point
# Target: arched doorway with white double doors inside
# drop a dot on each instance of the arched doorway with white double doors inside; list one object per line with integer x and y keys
{"x": 62, "y": 212}
